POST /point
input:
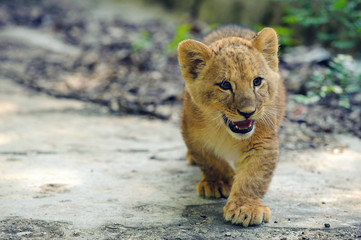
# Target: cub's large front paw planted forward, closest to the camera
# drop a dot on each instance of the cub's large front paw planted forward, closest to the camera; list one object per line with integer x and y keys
{"x": 246, "y": 214}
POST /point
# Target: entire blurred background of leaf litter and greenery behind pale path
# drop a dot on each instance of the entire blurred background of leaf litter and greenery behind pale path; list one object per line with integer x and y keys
{"x": 122, "y": 54}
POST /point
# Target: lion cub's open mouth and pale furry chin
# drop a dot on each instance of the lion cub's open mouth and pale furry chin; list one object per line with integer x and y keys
{"x": 239, "y": 129}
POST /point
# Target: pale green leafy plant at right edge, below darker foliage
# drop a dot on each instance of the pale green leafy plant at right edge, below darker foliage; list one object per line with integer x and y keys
{"x": 340, "y": 80}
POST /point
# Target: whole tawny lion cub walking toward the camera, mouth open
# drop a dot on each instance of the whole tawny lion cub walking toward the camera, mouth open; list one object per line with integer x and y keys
{"x": 234, "y": 103}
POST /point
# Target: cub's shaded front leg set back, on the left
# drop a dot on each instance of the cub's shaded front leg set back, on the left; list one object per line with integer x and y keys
{"x": 217, "y": 175}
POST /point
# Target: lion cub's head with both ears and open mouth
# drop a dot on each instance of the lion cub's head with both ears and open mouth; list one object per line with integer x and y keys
{"x": 233, "y": 80}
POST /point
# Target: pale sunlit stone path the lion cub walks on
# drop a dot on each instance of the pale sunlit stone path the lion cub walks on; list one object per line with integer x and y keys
{"x": 71, "y": 170}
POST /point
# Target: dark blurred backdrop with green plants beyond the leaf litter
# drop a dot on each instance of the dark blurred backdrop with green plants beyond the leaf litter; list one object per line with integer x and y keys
{"x": 334, "y": 24}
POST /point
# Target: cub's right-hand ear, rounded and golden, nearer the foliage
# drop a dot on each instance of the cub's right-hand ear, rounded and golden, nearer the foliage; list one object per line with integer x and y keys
{"x": 266, "y": 41}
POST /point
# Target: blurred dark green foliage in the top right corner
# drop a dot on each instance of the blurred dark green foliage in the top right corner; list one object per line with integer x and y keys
{"x": 336, "y": 23}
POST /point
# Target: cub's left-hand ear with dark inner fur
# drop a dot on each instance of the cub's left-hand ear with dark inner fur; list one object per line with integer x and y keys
{"x": 192, "y": 57}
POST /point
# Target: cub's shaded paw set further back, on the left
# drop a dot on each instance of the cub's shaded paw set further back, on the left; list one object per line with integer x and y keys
{"x": 213, "y": 189}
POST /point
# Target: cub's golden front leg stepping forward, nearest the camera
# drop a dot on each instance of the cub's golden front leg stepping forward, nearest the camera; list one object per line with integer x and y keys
{"x": 244, "y": 205}
